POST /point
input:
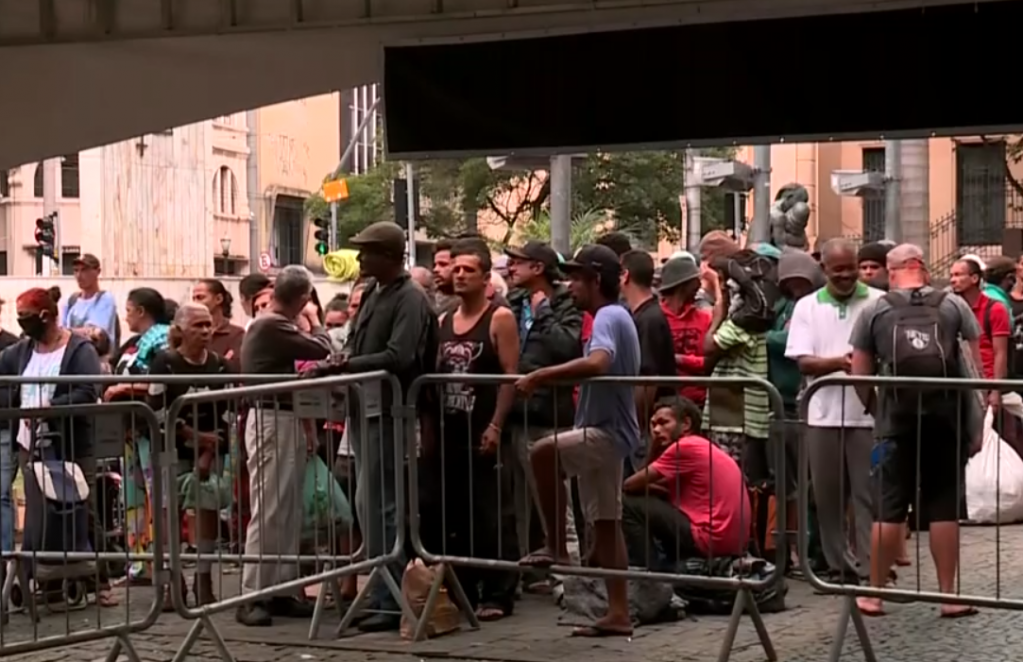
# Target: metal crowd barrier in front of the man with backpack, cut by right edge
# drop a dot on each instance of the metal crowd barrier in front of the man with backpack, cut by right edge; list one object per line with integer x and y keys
{"x": 961, "y": 414}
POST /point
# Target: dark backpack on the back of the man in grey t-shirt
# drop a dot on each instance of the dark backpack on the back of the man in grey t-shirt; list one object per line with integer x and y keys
{"x": 919, "y": 348}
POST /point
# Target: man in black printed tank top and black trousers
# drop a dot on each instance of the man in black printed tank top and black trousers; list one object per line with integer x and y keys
{"x": 476, "y": 338}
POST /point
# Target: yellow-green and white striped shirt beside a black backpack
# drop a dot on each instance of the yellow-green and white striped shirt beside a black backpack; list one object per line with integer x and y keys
{"x": 745, "y": 355}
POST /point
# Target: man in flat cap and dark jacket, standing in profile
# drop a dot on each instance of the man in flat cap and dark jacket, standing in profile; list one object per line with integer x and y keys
{"x": 395, "y": 331}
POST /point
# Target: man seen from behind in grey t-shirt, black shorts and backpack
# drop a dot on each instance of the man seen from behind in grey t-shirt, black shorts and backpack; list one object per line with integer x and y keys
{"x": 916, "y": 332}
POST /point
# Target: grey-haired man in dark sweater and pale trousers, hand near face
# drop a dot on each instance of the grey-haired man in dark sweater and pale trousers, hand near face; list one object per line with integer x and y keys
{"x": 275, "y": 445}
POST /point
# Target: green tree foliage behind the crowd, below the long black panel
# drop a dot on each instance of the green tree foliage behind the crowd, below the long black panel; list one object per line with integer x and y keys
{"x": 640, "y": 191}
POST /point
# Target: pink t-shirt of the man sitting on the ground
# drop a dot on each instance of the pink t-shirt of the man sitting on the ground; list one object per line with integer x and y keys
{"x": 693, "y": 468}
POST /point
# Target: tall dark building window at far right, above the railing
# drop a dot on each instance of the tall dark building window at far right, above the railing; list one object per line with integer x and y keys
{"x": 982, "y": 199}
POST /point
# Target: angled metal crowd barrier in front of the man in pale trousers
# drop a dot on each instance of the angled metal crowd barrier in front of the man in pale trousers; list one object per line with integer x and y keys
{"x": 308, "y": 400}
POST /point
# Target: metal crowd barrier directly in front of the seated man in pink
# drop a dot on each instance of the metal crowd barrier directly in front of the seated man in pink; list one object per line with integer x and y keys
{"x": 446, "y": 571}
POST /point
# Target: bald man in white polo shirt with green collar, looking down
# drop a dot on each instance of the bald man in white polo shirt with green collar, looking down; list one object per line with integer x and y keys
{"x": 840, "y": 433}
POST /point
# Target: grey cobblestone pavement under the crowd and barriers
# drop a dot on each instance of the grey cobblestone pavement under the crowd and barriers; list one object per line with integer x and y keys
{"x": 803, "y": 634}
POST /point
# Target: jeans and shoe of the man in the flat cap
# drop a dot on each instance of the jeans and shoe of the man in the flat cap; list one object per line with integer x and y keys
{"x": 376, "y": 501}
